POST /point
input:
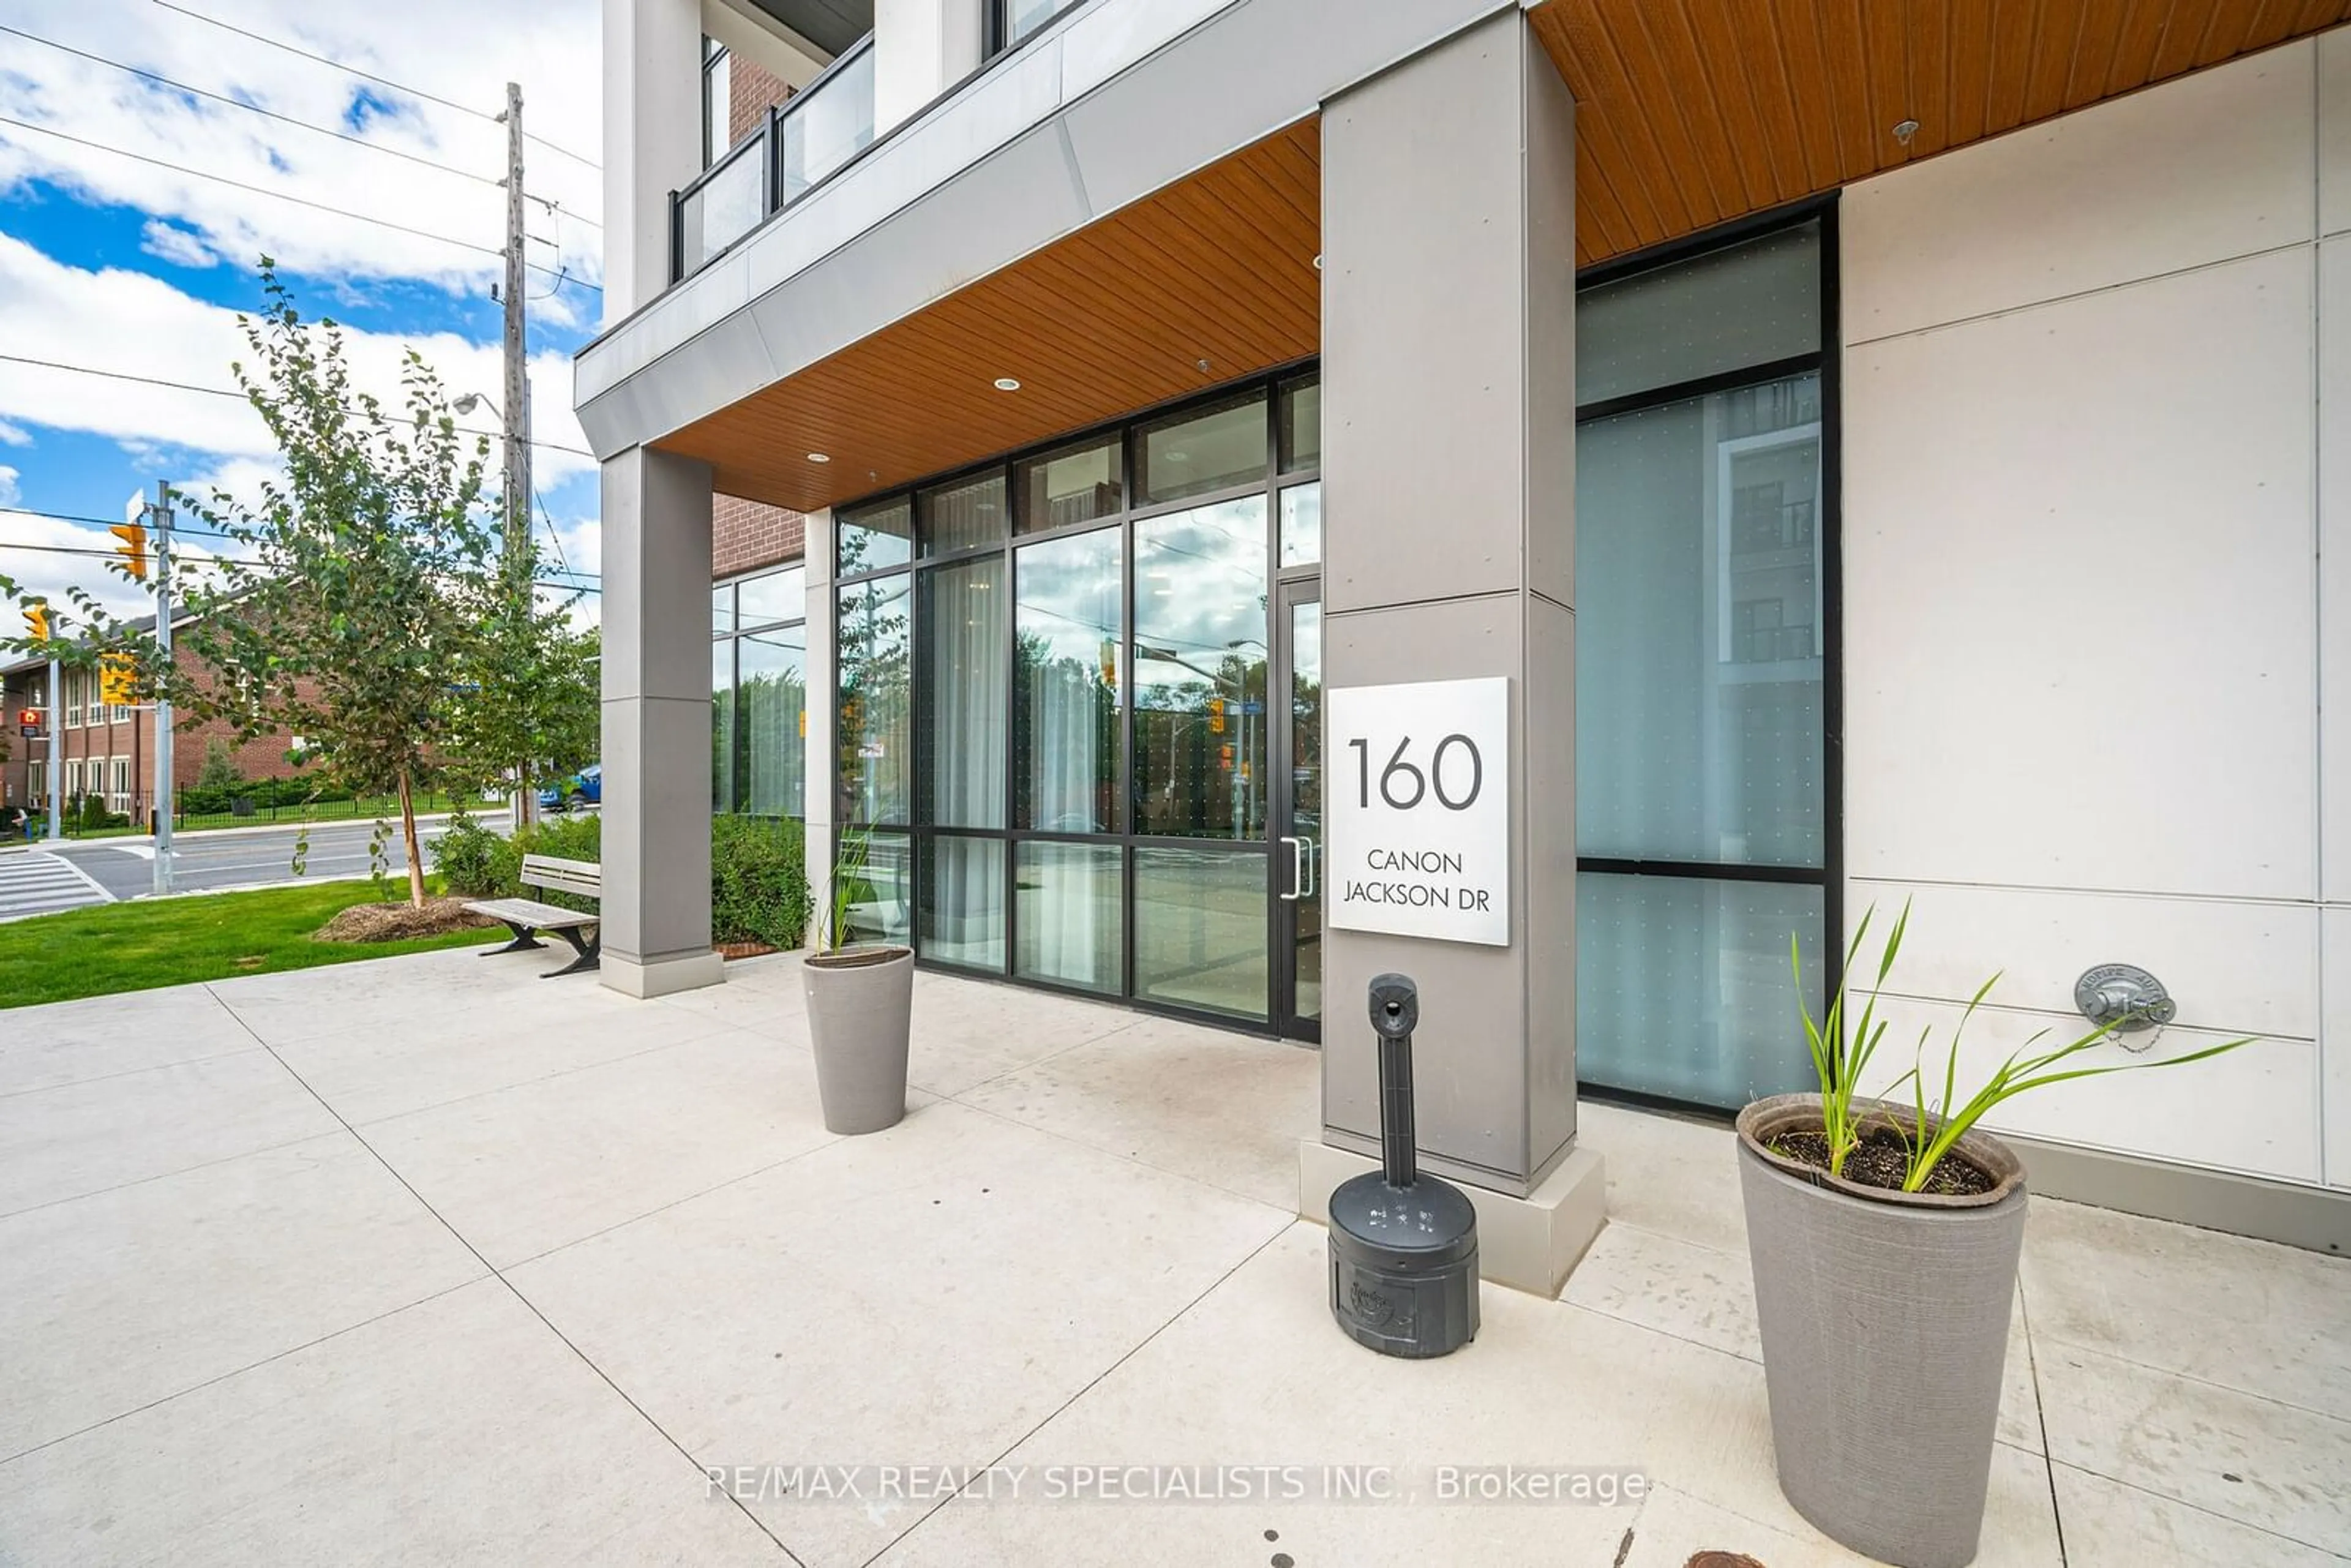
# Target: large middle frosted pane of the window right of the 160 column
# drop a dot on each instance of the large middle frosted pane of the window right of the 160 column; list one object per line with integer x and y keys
{"x": 1699, "y": 631}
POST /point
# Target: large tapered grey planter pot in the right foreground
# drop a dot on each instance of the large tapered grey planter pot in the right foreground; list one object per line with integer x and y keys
{"x": 1884, "y": 1334}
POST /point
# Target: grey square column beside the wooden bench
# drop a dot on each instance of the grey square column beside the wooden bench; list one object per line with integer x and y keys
{"x": 657, "y": 725}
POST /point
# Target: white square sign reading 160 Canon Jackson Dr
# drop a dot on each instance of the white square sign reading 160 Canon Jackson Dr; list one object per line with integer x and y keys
{"x": 1419, "y": 810}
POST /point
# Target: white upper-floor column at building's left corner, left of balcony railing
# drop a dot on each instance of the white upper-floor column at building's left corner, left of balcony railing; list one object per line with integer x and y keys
{"x": 652, "y": 140}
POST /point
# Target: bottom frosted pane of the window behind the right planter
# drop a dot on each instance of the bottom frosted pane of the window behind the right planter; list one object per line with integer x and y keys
{"x": 1684, "y": 989}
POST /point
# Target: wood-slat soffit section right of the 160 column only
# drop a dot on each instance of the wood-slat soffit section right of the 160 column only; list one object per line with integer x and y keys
{"x": 1699, "y": 112}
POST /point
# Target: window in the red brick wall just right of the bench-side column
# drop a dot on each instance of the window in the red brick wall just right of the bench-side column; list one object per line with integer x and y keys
{"x": 761, "y": 695}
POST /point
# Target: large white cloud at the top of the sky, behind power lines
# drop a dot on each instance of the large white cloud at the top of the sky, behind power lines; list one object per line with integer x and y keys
{"x": 549, "y": 46}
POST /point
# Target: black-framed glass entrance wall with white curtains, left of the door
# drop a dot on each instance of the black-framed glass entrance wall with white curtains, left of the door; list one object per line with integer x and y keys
{"x": 1076, "y": 648}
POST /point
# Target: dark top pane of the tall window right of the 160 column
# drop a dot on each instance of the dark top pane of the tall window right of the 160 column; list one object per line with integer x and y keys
{"x": 1729, "y": 309}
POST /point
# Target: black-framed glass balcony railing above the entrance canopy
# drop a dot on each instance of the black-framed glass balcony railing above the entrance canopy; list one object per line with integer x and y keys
{"x": 826, "y": 123}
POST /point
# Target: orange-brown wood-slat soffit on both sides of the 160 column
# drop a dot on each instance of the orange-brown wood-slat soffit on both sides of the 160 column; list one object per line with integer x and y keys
{"x": 1687, "y": 114}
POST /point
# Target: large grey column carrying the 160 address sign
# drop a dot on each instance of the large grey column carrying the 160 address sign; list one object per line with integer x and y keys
{"x": 1449, "y": 488}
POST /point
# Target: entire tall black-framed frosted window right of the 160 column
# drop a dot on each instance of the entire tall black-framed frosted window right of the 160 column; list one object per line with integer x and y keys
{"x": 1703, "y": 669}
